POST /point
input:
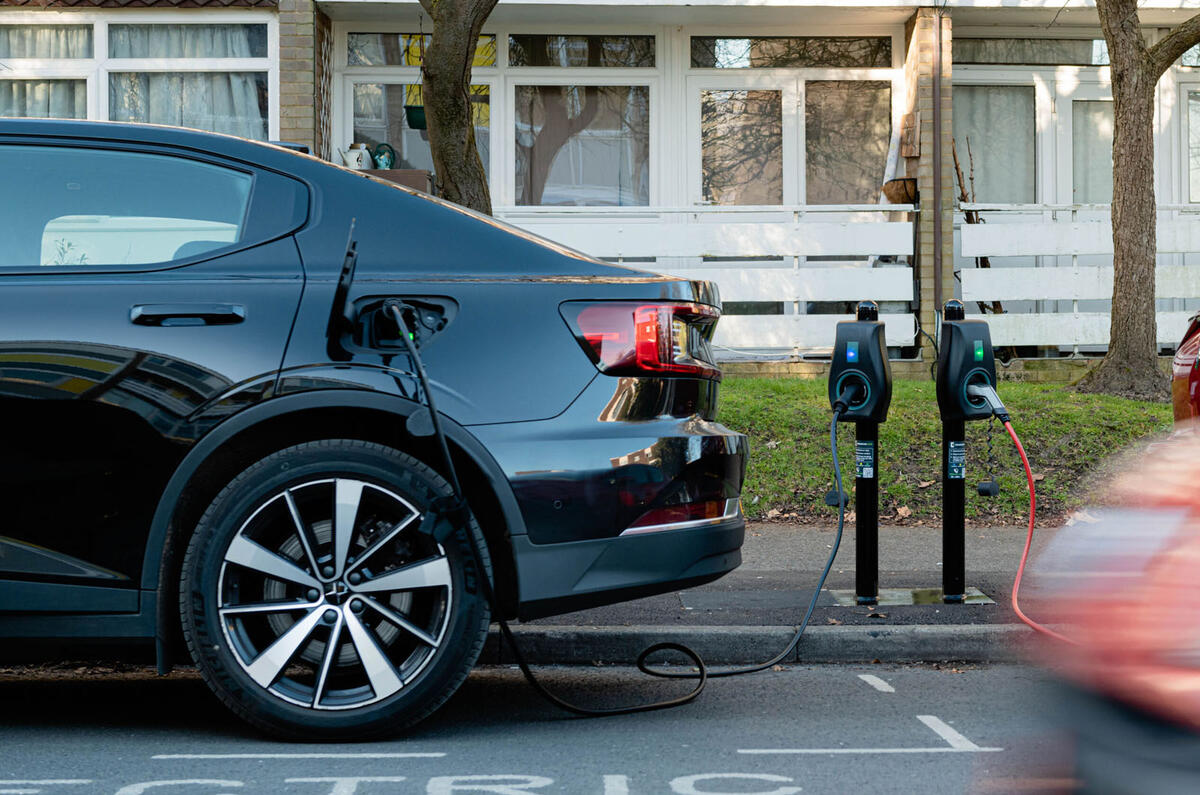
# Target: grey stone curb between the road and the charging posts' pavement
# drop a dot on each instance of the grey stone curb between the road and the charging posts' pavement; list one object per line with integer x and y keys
{"x": 550, "y": 645}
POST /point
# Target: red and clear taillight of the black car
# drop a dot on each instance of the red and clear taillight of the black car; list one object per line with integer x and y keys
{"x": 635, "y": 339}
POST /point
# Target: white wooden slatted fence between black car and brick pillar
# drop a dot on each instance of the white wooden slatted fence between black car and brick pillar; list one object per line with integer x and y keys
{"x": 728, "y": 246}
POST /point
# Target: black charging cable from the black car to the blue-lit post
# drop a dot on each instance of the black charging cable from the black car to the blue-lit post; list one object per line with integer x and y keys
{"x": 397, "y": 310}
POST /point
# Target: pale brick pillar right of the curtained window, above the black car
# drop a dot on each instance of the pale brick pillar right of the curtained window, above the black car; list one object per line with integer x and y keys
{"x": 298, "y": 73}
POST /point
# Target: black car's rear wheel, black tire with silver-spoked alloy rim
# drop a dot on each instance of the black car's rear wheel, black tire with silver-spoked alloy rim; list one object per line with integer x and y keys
{"x": 244, "y": 571}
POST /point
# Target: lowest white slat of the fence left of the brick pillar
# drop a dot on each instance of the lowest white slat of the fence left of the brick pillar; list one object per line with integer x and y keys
{"x": 801, "y": 331}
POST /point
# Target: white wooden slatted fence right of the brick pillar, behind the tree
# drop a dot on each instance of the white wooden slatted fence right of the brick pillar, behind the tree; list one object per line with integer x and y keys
{"x": 1067, "y": 232}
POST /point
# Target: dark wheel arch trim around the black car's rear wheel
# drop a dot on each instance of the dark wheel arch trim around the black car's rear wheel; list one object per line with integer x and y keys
{"x": 292, "y": 420}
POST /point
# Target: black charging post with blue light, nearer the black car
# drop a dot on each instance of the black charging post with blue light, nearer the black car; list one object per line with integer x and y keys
{"x": 861, "y": 386}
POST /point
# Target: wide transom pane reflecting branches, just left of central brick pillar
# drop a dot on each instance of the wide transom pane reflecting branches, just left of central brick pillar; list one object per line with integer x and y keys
{"x": 760, "y": 52}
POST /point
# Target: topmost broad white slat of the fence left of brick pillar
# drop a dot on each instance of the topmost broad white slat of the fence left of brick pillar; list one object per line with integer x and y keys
{"x": 656, "y": 240}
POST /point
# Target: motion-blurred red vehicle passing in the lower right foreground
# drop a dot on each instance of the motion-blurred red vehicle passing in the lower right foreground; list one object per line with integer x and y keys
{"x": 1126, "y": 591}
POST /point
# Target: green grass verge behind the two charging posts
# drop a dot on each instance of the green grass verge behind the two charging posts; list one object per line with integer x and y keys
{"x": 1067, "y": 437}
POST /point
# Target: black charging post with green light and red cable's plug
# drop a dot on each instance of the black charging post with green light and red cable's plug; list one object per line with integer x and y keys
{"x": 965, "y": 360}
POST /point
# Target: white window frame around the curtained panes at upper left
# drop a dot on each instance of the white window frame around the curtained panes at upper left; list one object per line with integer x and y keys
{"x": 95, "y": 70}
